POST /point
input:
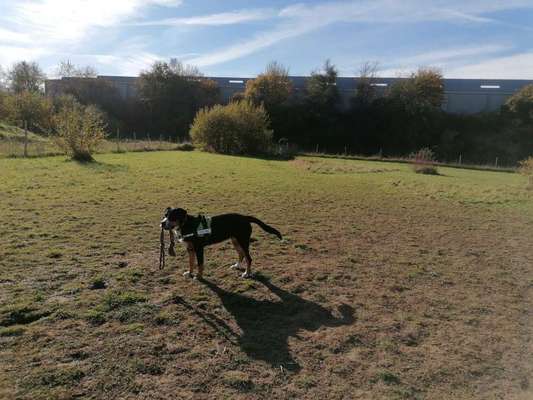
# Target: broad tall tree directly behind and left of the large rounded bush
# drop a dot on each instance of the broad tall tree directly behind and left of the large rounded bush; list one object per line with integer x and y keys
{"x": 172, "y": 93}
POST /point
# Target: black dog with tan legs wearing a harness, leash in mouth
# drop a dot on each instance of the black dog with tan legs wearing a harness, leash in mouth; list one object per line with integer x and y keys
{"x": 236, "y": 227}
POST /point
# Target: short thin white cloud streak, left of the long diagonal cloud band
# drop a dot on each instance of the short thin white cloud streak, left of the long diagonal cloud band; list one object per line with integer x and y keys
{"x": 226, "y": 18}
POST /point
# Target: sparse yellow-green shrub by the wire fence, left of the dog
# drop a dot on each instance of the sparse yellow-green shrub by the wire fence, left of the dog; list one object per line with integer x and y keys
{"x": 79, "y": 129}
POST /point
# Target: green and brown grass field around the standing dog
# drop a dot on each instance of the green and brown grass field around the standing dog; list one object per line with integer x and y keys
{"x": 388, "y": 284}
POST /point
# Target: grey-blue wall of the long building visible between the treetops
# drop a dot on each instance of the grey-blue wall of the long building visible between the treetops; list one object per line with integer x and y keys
{"x": 464, "y": 96}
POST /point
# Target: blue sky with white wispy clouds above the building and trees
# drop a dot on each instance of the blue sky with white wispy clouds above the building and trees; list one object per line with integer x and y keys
{"x": 464, "y": 38}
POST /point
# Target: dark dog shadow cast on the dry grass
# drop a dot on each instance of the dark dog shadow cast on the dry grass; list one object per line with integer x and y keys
{"x": 267, "y": 325}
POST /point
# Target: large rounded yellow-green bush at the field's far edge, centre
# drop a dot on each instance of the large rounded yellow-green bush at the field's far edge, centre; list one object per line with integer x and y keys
{"x": 237, "y": 128}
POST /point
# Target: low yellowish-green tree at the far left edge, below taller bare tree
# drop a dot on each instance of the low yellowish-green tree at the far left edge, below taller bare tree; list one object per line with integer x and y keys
{"x": 32, "y": 109}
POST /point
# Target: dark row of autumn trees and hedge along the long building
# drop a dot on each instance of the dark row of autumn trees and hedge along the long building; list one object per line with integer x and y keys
{"x": 401, "y": 119}
